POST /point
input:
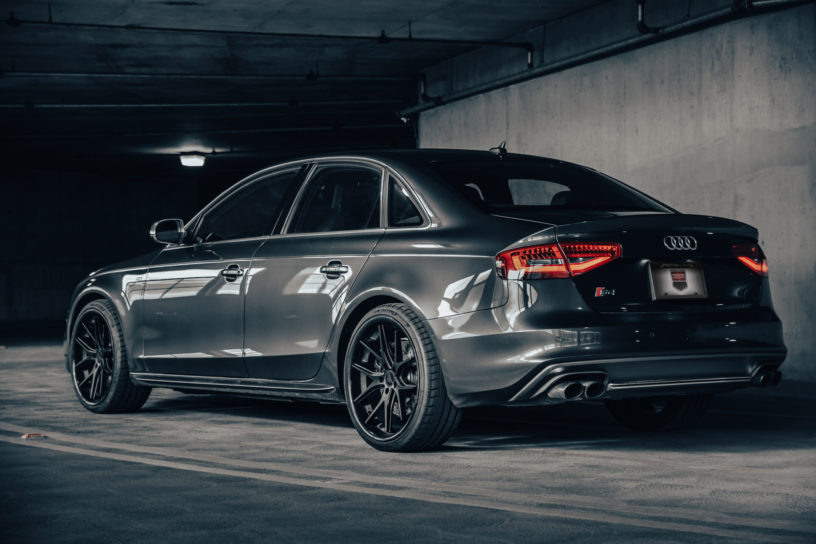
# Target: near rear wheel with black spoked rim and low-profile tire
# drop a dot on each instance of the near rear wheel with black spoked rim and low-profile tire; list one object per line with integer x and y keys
{"x": 395, "y": 392}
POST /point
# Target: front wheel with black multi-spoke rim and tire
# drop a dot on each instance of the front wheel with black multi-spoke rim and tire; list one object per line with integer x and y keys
{"x": 98, "y": 362}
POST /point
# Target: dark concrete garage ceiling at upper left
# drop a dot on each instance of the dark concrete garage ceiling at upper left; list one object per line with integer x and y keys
{"x": 163, "y": 76}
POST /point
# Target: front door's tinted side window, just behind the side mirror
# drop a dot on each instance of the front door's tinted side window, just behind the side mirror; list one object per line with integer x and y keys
{"x": 251, "y": 211}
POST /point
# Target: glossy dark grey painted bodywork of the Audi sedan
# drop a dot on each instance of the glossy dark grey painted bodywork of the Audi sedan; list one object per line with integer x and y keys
{"x": 278, "y": 325}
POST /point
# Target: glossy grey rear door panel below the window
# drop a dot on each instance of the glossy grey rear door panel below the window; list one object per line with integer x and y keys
{"x": 291, "y": 306}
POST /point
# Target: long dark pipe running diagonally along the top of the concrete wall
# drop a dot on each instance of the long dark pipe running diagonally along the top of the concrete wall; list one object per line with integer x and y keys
{"x": 736, "y": 11}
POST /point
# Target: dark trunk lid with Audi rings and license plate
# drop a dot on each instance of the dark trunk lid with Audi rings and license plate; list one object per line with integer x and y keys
{"x": 668, "y": 261}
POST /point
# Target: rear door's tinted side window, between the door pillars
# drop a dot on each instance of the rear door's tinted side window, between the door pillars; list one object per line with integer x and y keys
{"x": 340, "y": 197}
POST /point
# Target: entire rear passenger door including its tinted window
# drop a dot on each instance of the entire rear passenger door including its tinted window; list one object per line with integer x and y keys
{"x": 301, "y": 278}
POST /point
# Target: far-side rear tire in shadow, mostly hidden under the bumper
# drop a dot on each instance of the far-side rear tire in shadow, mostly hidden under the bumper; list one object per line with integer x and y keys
{"x": 659, "y": 413}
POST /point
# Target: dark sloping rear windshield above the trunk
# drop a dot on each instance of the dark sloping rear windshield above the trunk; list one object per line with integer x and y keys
{"x": 508, "y": 184}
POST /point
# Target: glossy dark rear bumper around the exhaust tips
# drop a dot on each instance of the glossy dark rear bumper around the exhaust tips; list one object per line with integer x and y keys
{"x": 487, "y": 362}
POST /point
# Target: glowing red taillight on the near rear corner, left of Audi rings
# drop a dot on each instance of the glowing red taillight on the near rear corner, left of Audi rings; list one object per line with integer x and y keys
{"x": 554, "y": 260}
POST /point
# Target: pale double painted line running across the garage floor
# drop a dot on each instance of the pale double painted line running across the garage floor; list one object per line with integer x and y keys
{"x": 339, "y": 483}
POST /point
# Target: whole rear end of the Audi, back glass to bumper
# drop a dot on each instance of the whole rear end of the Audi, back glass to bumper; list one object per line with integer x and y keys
{"x": 609, "y": 297}
